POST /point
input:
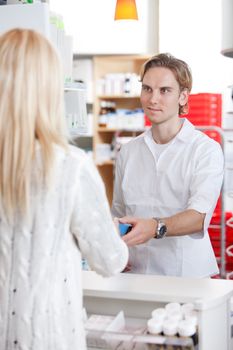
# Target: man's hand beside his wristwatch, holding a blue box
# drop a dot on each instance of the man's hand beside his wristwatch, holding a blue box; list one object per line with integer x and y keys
{"x": 142, "y": 231}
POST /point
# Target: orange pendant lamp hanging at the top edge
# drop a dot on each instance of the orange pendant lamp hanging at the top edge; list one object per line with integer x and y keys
{"x": 126, "y": 9}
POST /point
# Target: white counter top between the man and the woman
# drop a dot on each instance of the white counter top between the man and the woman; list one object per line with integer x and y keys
{"x": 205, "y": 293}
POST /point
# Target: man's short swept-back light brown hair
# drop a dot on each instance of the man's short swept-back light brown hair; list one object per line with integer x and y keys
{"x": 179, "y": 68}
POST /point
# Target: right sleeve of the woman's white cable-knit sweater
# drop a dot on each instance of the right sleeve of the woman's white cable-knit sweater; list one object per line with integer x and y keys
{"x": 92, "y": 224}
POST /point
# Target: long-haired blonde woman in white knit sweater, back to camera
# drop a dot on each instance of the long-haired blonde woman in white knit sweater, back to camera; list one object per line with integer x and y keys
{"x": 53, "y": 206}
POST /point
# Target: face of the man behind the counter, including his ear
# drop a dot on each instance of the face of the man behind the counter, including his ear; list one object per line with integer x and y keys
{"x": 161, "y": 96}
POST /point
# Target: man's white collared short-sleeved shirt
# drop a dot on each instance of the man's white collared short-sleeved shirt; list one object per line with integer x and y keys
{"x": 187, "y": 175}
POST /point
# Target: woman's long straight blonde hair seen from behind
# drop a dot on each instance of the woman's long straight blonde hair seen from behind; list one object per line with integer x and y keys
{"x": 31, "y": 111}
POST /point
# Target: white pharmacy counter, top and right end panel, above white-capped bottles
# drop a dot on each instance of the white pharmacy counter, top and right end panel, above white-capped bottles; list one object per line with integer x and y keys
{"x": 138, "y": 295}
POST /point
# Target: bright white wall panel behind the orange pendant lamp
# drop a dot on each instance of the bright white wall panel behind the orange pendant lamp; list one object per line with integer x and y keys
{"x": 92, "y": 25}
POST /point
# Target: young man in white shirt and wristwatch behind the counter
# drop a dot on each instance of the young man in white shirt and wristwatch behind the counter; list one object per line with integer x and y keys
{"x": 168, "y": 180}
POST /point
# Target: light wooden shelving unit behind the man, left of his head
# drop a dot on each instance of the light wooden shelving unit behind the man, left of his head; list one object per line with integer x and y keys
{"x": 103, "y": 65}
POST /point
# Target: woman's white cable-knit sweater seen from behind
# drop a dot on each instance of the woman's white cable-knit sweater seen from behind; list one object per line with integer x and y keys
{"x": 40, "y": 261}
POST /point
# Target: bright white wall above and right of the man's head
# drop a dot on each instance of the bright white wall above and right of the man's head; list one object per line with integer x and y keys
{"x": 191, "y": 30}
